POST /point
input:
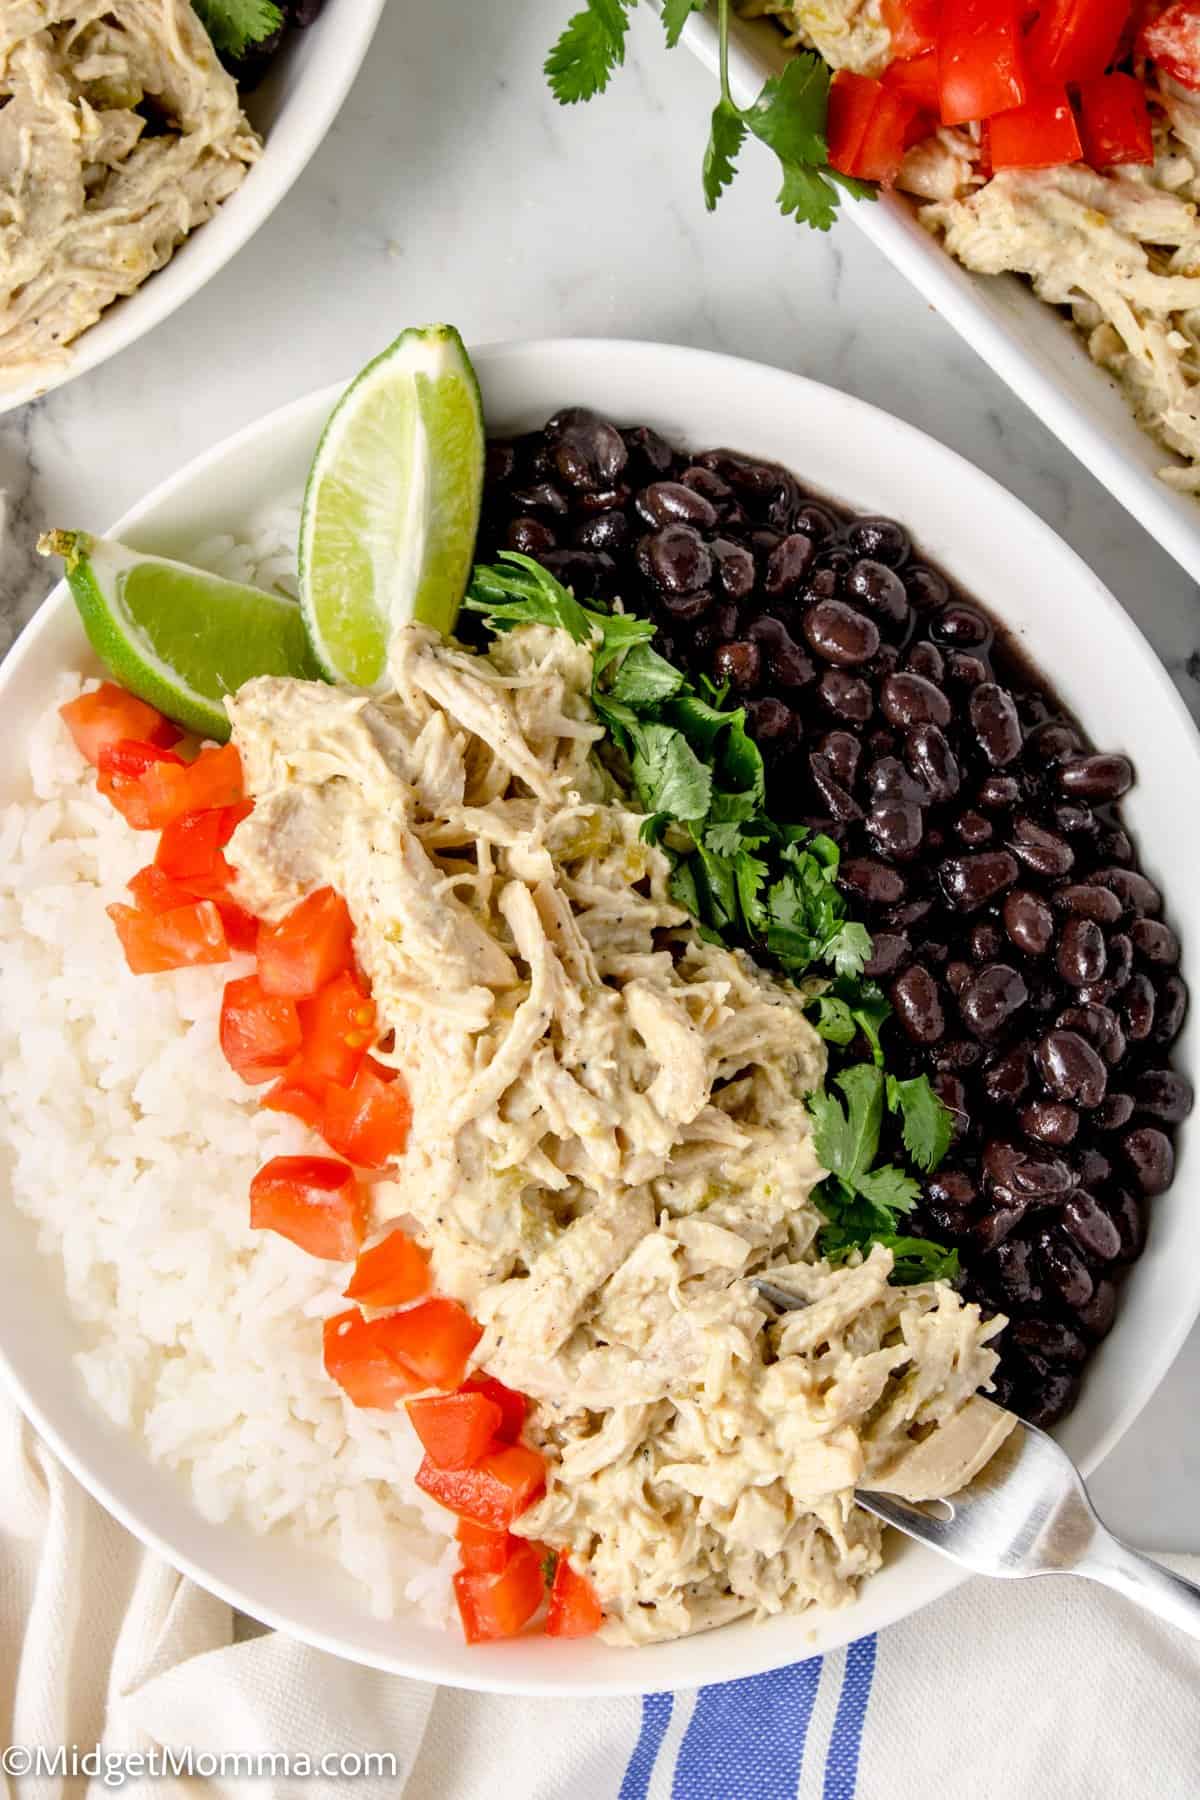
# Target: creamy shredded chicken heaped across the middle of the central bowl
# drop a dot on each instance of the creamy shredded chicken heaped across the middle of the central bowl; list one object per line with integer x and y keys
{"x": 609, "y": 1138}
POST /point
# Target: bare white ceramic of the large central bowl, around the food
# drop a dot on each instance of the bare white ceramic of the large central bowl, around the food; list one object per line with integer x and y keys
{"x": 1075, "y": 631}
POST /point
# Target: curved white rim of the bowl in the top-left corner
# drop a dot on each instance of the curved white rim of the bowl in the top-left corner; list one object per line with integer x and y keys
{"x": 132, "y": 316}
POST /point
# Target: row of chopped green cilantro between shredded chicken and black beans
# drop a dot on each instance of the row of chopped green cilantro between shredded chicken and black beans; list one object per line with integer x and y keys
{"x": 751, "y": 881}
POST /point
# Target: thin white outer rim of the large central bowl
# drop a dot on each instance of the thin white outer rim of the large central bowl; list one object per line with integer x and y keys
{"x": 938, "y": 1576}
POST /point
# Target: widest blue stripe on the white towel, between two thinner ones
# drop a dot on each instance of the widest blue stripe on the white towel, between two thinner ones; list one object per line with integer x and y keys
{"x": 746, "y": 1740}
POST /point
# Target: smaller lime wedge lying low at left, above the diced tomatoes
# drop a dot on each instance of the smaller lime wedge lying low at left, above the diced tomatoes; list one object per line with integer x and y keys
{"x": 177, "y": 636}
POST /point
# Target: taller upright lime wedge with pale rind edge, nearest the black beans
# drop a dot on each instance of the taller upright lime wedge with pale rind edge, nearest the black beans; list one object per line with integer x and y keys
{"x": 393, "y": 505}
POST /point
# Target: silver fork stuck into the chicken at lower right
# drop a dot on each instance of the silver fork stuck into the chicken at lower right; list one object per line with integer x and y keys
{"x": 1028, "y": 1513}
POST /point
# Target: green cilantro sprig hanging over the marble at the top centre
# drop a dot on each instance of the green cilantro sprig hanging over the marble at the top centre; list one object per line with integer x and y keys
{"x": 789, "y": 114}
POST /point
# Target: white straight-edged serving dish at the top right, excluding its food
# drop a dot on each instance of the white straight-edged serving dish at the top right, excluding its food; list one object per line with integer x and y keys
{"x": 1028, "y": 343}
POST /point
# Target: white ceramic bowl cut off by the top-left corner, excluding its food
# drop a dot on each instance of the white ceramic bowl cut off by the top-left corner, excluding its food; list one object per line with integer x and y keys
{"x": 292, "y": 111}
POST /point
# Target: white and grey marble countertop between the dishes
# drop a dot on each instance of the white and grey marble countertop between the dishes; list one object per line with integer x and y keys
{"x": 452, "y": 186}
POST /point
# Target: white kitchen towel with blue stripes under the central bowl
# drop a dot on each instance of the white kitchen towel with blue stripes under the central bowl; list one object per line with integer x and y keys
{"x": 1003, "y": 1691}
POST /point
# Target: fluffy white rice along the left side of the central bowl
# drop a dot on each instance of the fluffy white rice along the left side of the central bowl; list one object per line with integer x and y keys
{"x": 132, "y": 1146}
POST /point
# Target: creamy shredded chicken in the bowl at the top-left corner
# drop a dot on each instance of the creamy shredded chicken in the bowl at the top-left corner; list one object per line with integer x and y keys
{"x": 94, "y": 197}
